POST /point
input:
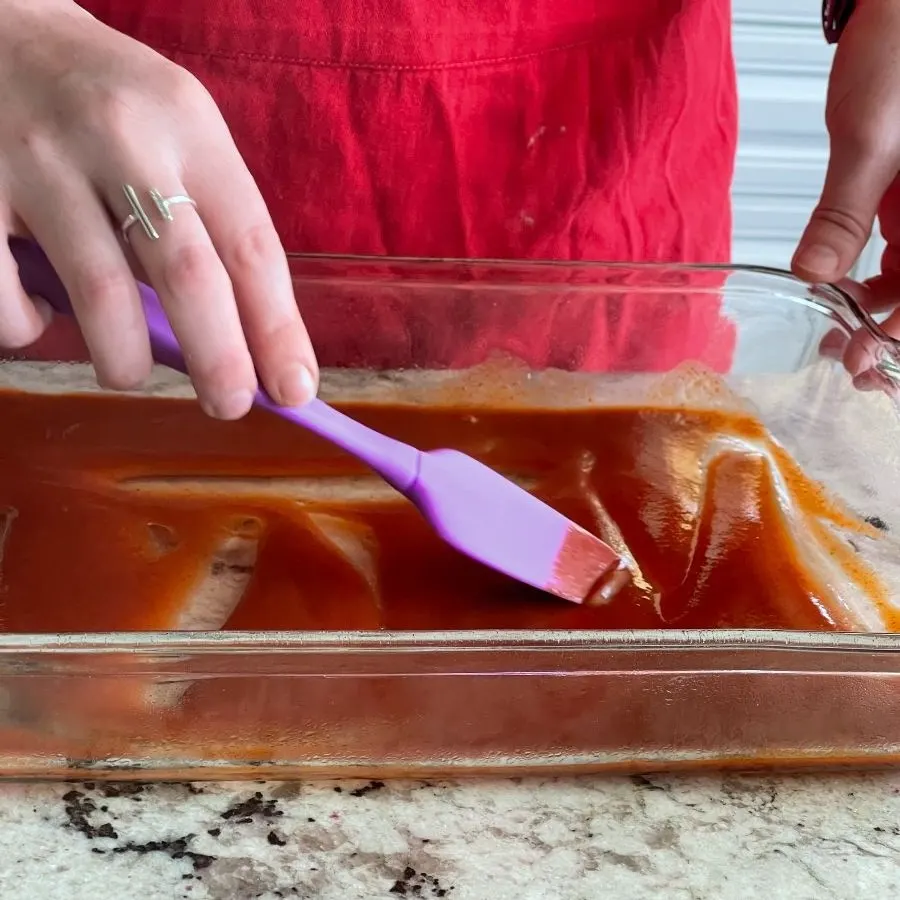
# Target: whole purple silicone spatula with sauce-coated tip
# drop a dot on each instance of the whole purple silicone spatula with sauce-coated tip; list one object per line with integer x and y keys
{"x": 473, "y": 508}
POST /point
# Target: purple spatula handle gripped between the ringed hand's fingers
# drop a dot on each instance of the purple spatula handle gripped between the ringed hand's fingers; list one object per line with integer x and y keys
{"x": 396, "y": 462}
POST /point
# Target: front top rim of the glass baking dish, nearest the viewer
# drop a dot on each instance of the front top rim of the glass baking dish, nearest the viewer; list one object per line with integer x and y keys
{"x": 445, "y": 641}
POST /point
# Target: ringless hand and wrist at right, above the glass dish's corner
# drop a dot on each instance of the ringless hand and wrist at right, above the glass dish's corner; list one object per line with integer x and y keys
{"x": 863, "y": 119}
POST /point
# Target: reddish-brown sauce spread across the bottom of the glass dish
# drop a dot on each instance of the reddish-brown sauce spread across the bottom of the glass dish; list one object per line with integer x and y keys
{"x": 114, "y": 514}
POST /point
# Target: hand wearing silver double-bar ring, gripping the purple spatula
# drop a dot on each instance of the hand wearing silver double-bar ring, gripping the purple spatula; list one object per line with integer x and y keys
{"x": 86, "y": 111}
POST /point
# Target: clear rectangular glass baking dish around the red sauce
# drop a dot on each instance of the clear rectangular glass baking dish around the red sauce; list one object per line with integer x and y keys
{"x": 213, "y": 704}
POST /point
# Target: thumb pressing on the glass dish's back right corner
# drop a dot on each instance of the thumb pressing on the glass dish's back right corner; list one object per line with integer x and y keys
{"x": 842, "y": 221}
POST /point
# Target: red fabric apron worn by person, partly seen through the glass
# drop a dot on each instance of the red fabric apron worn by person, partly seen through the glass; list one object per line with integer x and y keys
{"x": 563, "y": 129}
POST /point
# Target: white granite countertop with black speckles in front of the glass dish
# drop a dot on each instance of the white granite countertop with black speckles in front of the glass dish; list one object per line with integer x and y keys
{"x": 806, "y": 837}
